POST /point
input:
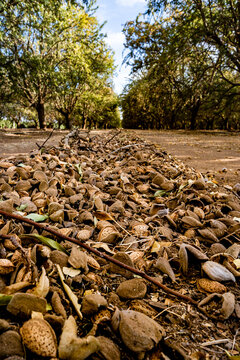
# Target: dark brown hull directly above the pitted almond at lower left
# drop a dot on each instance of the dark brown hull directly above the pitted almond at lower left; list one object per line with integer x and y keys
{"x": 23, "y": 304}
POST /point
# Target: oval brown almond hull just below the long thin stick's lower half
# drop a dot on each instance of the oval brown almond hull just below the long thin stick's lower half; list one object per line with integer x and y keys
{"x": 132, "y": 289}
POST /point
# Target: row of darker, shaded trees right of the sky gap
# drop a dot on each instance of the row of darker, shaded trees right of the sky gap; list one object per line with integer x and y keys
{"x": 185, "y": 56}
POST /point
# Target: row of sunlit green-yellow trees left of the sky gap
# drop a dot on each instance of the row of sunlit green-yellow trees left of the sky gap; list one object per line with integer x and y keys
{"x": 55, "y": 67}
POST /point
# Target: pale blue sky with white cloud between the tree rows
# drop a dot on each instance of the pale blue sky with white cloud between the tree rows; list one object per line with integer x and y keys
{"x": 117, "y": 13}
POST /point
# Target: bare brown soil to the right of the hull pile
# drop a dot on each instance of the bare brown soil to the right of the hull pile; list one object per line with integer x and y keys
{"x": 216, "y": 152}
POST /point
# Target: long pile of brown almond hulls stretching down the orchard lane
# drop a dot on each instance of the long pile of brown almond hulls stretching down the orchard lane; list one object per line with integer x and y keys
{"x": 128, "y": 199}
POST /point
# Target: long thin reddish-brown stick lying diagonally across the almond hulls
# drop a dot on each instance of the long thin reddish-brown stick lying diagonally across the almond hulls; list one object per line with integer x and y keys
{"x": 102, "y": 255}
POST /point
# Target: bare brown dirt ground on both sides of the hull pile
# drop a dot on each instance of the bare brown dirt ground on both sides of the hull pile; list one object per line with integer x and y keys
{"x": 217, "y": 152}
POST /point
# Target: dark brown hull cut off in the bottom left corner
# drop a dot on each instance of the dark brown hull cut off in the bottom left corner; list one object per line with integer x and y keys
{"x": 10, "y": 344}
